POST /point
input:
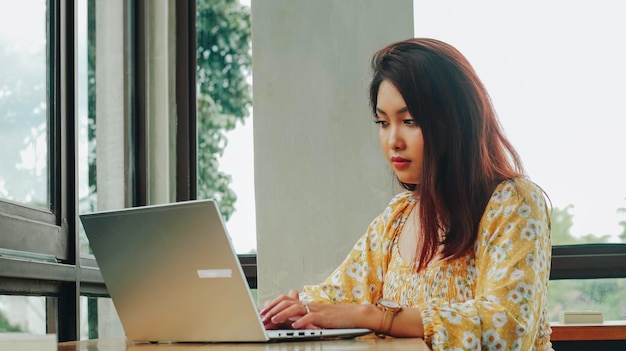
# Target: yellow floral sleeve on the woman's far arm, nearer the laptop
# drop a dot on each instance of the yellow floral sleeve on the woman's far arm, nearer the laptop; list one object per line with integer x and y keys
{"x": 359, "y": 278}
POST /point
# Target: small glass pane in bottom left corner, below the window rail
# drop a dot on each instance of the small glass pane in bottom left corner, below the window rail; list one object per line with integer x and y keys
{"x": 23, "y": 314}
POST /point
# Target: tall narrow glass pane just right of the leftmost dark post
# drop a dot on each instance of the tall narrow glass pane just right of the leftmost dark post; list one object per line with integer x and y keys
{"x": 86, "y": 106}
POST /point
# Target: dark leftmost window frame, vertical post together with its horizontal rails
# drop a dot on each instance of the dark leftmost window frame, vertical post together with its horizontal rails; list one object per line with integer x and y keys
{"x": 39, "y": 248}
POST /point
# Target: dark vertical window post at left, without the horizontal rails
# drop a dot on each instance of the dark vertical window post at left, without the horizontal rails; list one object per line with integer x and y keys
{"x": 65, "y": 174}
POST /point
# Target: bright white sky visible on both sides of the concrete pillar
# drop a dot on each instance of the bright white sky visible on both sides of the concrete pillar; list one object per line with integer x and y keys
{"x": 555, "y": 73}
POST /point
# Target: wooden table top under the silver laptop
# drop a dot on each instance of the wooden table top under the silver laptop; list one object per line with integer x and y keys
{"x": 361, "y": 343}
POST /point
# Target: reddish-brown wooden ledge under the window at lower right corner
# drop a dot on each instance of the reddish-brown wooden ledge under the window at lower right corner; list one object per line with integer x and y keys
{"x": 609, "y": 330}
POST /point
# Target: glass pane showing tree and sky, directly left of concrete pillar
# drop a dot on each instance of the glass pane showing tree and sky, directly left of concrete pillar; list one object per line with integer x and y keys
{"x": 224, "y": 93}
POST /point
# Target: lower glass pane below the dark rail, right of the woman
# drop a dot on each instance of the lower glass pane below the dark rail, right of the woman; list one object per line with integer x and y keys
{"x": 603, "y": 295}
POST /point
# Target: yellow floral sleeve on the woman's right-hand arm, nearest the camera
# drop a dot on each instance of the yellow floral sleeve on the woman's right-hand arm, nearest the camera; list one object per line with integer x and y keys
{"x": 512, "y": 270}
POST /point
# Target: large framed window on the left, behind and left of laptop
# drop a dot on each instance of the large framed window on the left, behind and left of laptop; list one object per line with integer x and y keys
{"x": 48, "y": 96}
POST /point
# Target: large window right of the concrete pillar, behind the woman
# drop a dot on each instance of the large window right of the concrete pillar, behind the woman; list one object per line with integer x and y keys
{"x": 554, "y": 71}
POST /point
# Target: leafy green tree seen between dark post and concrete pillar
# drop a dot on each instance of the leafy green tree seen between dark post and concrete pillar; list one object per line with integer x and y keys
{"x": 224, "y": 93}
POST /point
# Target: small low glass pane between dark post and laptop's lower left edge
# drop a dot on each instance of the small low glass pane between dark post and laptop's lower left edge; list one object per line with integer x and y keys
{"x": 98, "y": 319}
